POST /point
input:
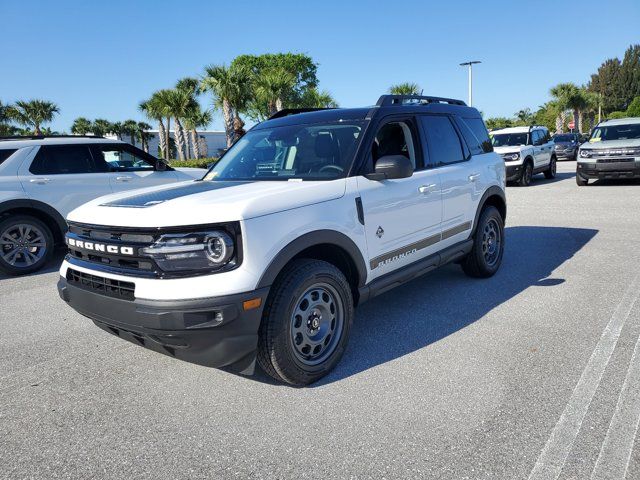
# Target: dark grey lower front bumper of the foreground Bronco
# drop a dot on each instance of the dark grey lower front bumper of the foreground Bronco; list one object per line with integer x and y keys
{"x": 215, "y": 332}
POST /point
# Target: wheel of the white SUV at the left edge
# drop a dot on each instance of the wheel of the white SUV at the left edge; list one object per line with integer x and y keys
{"x": 26, "y": 244}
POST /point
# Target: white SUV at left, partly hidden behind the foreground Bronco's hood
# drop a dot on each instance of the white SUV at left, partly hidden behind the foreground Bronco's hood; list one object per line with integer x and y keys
{"x": 43, "y": 178}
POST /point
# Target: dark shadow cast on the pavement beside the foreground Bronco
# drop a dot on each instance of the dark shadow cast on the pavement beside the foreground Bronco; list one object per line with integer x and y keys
{"x": 419, "y": 313}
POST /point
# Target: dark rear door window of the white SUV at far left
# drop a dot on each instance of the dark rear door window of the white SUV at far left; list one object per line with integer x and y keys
{"x": 62, "y": 159}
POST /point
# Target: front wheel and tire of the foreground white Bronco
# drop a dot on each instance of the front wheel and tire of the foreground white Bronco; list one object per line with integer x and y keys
{"x": 297, "y": 350}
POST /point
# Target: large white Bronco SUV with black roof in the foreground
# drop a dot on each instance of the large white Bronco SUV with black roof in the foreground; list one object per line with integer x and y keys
{"x": 306, "y": 216}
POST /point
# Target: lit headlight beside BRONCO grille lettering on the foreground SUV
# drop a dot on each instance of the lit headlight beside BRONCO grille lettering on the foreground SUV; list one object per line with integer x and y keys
{"x": 178, "y": 252}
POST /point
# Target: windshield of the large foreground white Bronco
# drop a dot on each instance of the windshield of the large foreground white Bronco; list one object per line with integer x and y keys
{"x": 306, "y": 152}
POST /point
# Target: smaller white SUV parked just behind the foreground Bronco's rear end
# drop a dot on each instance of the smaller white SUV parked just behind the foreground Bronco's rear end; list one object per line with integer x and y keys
{"x": 526, "y": 151}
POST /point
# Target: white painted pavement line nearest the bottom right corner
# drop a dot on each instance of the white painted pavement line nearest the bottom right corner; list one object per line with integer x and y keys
{"x": 617, "y": 447}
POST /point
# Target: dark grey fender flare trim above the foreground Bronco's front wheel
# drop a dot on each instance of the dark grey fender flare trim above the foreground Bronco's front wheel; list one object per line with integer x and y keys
{"x": 310, "y": 239}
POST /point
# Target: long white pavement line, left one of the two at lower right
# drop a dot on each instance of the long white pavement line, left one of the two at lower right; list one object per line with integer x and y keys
{"x": 554, "y": 454}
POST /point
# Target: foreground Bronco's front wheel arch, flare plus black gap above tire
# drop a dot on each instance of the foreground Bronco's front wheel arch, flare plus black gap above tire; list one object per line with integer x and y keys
{"x": 328, "y": 245}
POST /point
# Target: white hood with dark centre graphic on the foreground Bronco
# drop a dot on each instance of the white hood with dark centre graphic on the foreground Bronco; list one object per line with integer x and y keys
{"x": 203, "y": 202}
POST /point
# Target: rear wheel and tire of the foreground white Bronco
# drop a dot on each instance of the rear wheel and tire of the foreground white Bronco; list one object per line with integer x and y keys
{"x": 486, "y": 255}
